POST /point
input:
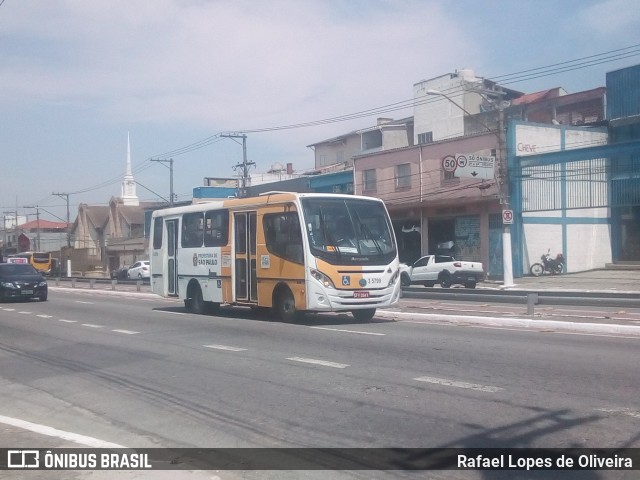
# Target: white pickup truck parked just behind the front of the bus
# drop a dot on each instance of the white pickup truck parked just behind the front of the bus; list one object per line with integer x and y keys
{"x": 442, "y": 269}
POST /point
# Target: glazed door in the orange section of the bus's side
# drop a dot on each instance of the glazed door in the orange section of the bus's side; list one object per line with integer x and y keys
{"x": 245, "y": 257}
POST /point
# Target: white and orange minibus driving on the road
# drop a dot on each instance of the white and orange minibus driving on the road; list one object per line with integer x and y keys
{"x": 291, "y": 252}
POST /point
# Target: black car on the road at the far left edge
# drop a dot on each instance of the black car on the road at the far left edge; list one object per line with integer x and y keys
{"x": 20, "y": 281}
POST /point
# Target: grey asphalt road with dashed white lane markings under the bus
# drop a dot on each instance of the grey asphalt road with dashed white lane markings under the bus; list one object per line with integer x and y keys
{"x": 139, "y": 371}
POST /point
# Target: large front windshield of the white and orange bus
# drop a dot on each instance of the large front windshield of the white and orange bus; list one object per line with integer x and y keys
{"x": 348, "y": 231}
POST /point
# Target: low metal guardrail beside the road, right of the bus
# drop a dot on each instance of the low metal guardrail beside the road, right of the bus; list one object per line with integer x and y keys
{"x": 529, "y": 298}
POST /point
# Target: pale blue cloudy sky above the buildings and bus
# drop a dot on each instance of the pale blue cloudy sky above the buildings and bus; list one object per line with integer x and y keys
{"x": 77, "y": 76}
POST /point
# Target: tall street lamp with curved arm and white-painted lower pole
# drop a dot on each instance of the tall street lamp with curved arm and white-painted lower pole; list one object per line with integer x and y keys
{"x": 503, "y": 182}
